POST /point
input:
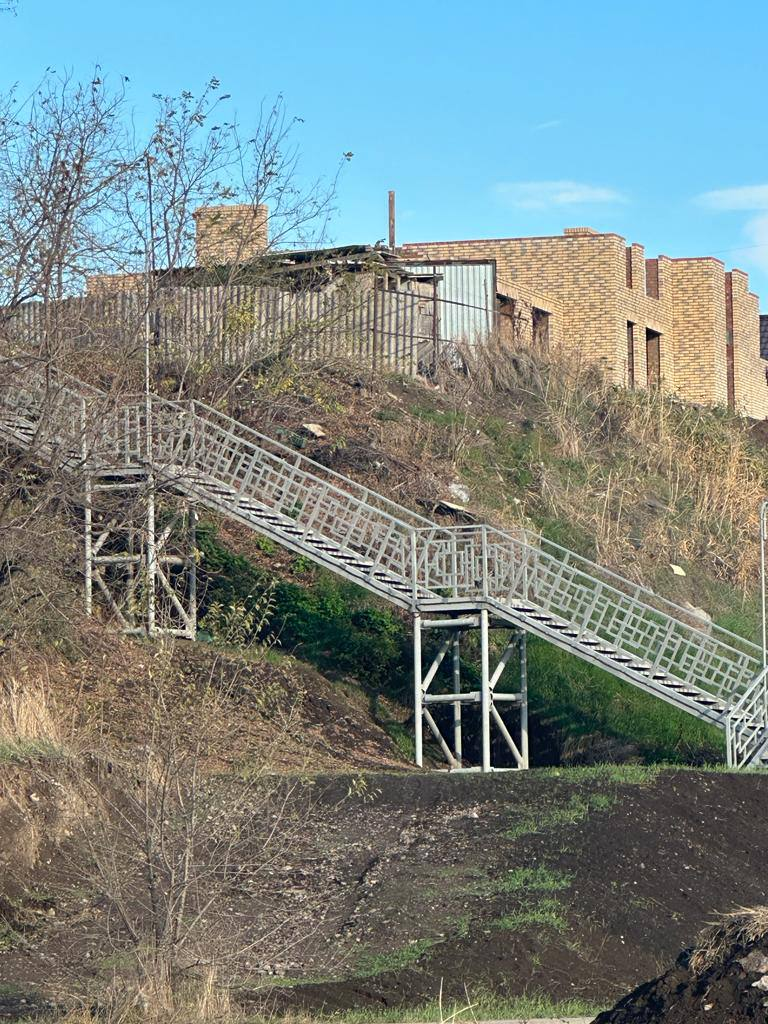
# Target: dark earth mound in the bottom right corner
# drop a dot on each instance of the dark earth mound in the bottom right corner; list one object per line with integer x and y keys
{"x": 726, "y": 982}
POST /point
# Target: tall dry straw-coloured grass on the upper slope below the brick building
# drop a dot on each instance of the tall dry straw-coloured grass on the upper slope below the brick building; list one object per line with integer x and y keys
{"x": 607, "y": 453}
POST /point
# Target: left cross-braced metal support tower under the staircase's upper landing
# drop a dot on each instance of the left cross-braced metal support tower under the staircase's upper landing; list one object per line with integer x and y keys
{"x": 141, "y": 561}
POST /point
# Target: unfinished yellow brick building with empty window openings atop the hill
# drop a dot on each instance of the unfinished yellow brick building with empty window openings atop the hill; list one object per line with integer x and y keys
{"x": 687, "y": 325}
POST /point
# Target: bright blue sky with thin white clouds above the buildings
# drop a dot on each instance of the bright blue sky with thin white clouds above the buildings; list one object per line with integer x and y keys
{"x": 489, "y": 119}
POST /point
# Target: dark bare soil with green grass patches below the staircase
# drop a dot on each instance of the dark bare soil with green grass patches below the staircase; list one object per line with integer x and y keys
{"x": 575, "y": 884}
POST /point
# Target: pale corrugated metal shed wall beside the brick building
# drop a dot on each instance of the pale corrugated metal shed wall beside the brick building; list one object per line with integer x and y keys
{"x": 466, "y": 300}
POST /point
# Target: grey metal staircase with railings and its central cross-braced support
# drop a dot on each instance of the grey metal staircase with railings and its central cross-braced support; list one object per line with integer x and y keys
{"x": 452, "y": 579}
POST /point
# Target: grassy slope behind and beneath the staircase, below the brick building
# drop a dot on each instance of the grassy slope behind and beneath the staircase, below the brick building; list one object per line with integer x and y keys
{"x": 634, "y": 481}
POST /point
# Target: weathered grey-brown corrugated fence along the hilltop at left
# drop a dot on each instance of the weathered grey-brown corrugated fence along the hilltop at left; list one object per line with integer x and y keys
{"x": 233, "y": 325}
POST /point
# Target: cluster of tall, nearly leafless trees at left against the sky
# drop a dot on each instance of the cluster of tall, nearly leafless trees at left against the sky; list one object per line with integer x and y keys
{"x": 82, "y": 196}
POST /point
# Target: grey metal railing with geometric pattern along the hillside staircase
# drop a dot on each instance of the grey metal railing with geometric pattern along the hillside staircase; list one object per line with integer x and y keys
{"x": 463, "y": 562}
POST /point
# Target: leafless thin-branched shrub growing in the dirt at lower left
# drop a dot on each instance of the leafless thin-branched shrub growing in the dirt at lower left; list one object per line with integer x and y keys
{"x": 186, "y": 854}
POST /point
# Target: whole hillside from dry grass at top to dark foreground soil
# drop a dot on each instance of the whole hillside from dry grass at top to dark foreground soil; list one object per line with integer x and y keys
{"x": 238, "y": 776}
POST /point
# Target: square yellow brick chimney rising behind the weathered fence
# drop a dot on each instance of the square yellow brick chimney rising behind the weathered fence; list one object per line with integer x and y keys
{"x": 235, "y": 234}
